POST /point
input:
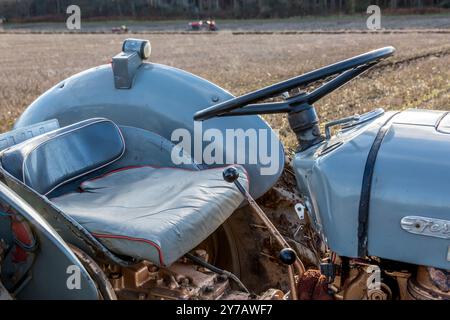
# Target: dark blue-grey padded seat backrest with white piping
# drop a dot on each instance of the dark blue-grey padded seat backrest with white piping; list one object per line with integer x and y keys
{"x": 52, "y": 159}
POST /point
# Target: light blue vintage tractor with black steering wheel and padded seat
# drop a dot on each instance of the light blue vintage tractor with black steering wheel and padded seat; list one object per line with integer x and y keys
{"x": 135, "y": 180}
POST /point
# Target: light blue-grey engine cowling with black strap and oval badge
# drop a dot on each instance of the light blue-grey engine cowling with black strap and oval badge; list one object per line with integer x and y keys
{"x": 397, "y": 167}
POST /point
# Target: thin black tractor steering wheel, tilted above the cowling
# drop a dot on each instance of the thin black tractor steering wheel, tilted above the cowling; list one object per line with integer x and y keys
{"x": 344, "y": 71}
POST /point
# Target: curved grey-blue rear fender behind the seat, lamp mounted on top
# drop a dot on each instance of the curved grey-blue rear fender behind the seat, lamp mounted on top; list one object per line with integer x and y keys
{"x": 162, "y": 100}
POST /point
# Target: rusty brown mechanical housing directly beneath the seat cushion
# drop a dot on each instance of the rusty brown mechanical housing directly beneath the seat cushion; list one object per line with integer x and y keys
{"x": 183, "y": 280}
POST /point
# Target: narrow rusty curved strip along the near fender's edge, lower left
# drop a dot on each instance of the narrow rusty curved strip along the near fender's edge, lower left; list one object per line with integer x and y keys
{"x": 104, "y": 286}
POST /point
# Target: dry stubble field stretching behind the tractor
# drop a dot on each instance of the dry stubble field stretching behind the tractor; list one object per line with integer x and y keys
{"x": 30, "y": 64}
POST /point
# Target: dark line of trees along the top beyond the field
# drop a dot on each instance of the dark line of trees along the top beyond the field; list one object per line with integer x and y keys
{"x": 56, "y": 9}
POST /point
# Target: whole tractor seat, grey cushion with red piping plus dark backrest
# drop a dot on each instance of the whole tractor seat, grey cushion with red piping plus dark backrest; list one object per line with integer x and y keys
{"x": 148, "y": 213}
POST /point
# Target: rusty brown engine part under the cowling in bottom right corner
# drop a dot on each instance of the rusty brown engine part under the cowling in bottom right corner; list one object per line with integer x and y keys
{"x": 429, "y": 284}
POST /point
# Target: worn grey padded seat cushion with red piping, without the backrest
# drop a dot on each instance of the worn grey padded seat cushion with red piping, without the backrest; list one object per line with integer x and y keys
{"x": 155, "y": 214}
